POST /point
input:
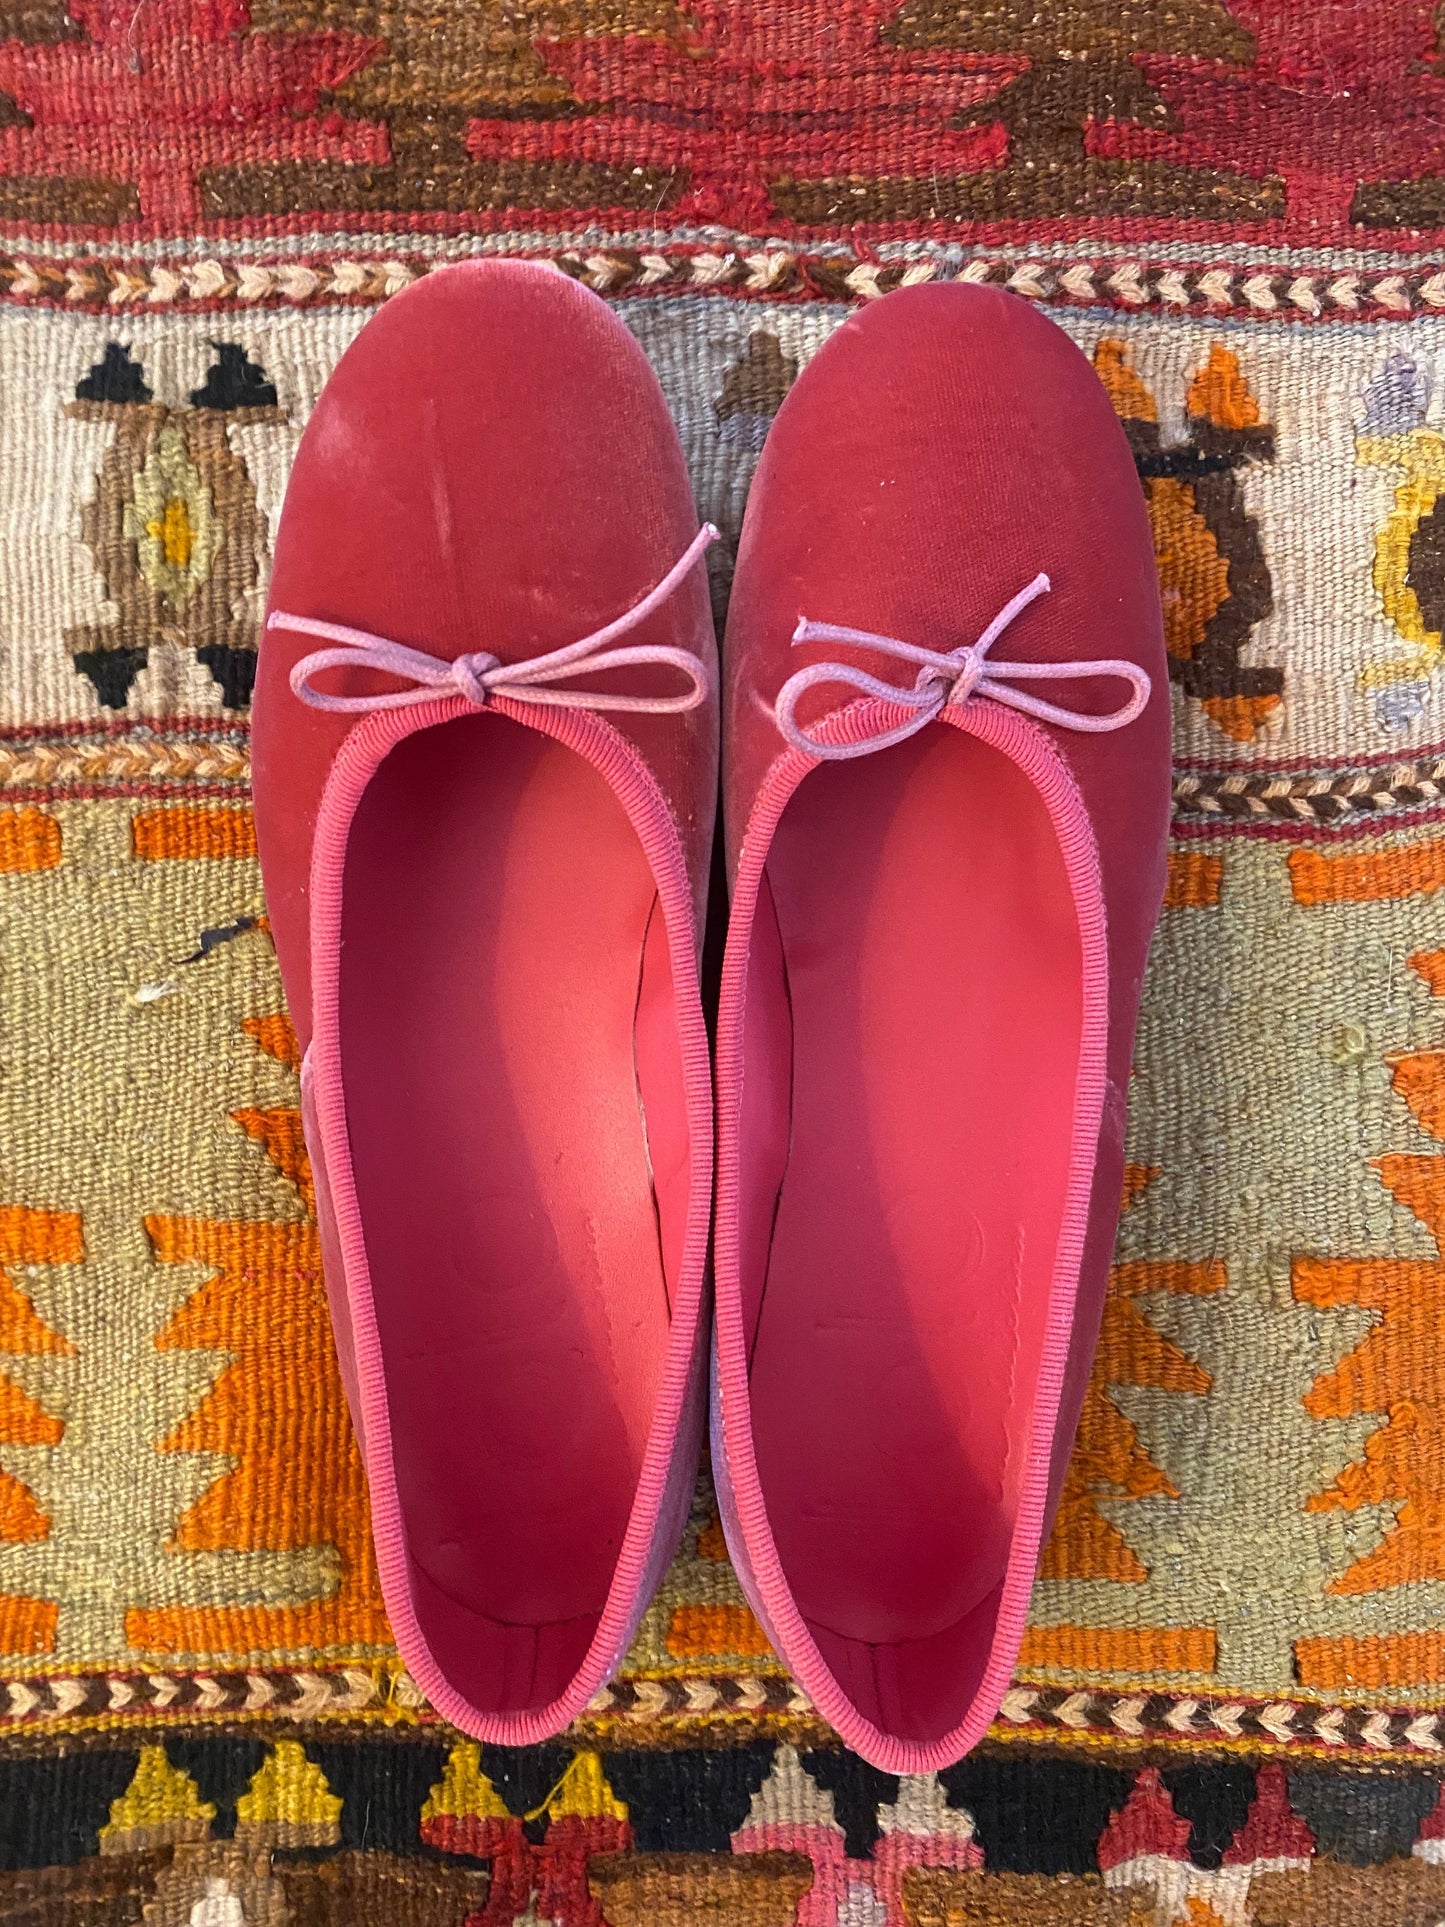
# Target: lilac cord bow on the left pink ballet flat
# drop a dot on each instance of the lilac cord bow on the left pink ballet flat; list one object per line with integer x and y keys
{"x": 481, "y": 677}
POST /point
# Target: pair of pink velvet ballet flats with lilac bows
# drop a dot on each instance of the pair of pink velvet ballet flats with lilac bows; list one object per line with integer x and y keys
{"x": 488, "y": 752}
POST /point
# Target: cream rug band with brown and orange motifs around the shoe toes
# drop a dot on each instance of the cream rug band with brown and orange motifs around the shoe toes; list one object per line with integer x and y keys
{"x": 1294, "y": 483}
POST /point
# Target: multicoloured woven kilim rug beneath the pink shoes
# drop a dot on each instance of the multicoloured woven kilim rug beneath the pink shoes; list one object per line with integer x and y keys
{"x": 1232, "y": 1704}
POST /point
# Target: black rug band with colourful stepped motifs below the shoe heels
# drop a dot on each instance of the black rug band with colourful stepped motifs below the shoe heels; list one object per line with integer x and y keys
{"x": 438, "y": 1834}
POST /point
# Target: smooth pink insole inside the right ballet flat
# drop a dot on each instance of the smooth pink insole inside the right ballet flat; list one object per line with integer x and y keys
{"x": 918, "y": 943}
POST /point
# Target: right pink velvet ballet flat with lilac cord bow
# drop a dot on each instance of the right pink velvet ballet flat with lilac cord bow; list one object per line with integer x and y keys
{"x": 945, "y": 791}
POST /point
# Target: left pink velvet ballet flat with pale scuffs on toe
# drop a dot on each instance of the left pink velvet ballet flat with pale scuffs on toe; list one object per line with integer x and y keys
{"x": 486, "y": 770}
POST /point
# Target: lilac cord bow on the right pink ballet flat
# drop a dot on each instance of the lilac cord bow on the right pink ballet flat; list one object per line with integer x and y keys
{"x": 945, "y": 679}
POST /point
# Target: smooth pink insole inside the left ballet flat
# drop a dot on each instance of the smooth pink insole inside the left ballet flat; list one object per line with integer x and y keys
{"x": 492, "y": 980}
